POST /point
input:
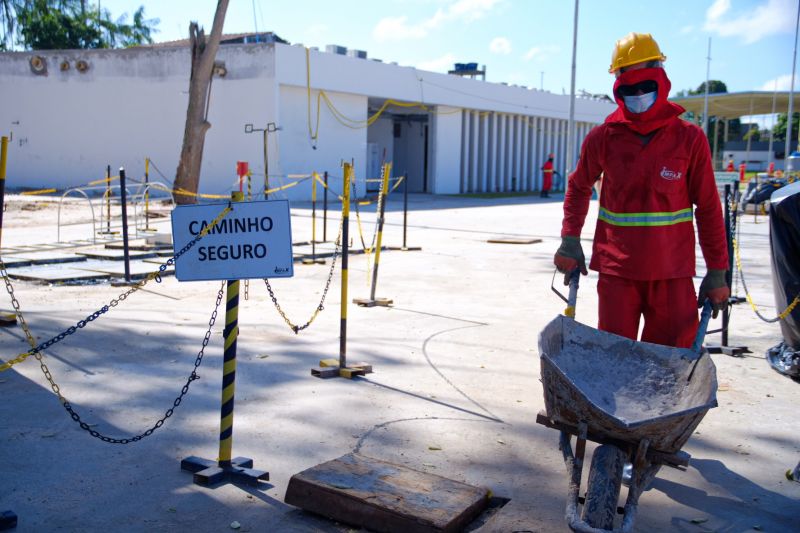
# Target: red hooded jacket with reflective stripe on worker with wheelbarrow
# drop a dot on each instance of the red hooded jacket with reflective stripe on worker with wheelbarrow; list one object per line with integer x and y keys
{"x": 644, "y": 229}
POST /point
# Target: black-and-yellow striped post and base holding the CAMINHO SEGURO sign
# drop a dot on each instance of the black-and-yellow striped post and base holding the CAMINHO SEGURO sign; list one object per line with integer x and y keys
{"x": 207, "y": 472}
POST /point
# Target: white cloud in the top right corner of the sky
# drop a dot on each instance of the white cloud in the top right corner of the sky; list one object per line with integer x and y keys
{"x": 769, "y": 18}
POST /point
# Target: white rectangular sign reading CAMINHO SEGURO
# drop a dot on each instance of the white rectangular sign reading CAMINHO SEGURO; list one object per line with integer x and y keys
{"x": 253, "y": 241}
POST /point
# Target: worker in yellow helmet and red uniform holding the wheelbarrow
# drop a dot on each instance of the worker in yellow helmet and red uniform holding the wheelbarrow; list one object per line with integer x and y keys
{"x": 656, "y": 168}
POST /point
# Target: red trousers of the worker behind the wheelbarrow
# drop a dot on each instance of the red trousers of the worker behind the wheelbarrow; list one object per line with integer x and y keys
{"x": 669, "y": 307}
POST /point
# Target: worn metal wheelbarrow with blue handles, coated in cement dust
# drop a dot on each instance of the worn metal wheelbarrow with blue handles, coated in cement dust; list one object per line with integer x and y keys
{"x": 640, "y": 401}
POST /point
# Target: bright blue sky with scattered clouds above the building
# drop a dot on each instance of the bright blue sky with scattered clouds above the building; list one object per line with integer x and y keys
{"x": 525, "y": 42}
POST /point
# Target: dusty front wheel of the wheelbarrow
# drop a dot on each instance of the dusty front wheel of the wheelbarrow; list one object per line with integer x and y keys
{"x": 602, "y": 493}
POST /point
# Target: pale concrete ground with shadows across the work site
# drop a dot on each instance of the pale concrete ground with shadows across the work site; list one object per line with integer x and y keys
{"x": 455, "y": 390}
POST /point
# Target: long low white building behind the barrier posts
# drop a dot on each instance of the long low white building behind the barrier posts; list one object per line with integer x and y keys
{"x": 72, "y": 112}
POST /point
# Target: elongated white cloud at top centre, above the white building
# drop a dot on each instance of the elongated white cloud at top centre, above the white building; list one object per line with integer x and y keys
{"x": 398, "y": 28}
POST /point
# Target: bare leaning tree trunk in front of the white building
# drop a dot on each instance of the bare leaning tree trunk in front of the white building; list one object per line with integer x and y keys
{"x": 187, "y": 177}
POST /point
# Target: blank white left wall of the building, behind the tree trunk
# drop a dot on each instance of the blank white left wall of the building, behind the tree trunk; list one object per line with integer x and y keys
{"x": 129, "y": 105}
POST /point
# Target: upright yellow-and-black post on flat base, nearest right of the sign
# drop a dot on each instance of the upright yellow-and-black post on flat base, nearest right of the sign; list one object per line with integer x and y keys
{"x": 329, "y": 368}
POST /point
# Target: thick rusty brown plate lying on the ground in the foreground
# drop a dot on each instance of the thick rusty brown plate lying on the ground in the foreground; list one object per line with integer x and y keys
{"x": 382, "y": 496}
